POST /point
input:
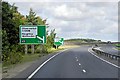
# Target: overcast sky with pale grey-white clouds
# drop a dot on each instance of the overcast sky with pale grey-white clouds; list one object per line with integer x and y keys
{"x": 76, "y": 19}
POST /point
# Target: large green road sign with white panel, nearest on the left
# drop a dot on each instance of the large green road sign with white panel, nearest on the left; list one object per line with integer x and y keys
{"x": 32, "y": 34}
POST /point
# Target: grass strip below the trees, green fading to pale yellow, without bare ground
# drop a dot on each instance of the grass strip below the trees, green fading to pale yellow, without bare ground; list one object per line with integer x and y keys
{"x": 32, "y": 57}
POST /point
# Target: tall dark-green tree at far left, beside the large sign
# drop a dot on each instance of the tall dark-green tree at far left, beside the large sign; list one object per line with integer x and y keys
{"x": 10, "y": 34}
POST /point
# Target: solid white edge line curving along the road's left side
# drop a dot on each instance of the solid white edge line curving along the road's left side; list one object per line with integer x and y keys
{"x": 43, "y": 65}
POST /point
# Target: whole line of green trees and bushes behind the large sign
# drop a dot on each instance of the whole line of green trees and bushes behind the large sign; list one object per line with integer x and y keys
{"x": 12, "y": 51}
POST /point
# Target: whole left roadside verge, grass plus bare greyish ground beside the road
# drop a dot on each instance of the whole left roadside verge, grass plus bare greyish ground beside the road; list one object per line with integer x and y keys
{"x": 9, "y": 70}
